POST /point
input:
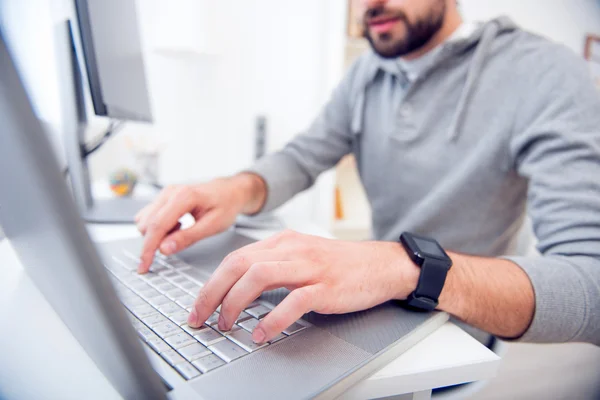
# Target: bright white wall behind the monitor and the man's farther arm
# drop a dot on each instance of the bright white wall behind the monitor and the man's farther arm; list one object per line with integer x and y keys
{"x": 279, "y": 58}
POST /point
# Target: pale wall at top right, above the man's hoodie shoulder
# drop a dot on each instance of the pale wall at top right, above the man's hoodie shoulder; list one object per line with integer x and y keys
{"x": 565, "y": 21}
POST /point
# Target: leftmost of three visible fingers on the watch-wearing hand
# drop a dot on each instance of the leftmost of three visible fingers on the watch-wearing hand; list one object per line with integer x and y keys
{"x": 222, "y": 280}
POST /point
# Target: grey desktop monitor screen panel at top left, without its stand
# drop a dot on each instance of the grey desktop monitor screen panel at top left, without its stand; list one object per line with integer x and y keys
{"x": 114, "y": 61}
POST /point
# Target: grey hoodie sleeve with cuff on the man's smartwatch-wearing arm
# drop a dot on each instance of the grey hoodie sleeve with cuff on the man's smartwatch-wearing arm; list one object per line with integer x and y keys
{"x": 556, "y": 146}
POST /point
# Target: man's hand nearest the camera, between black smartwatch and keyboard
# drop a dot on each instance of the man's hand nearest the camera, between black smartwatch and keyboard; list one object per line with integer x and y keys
{"x": 326, "y": 276}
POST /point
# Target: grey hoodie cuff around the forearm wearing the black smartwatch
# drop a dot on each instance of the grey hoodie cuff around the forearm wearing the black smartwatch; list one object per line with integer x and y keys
{"x": 560, "y": 299}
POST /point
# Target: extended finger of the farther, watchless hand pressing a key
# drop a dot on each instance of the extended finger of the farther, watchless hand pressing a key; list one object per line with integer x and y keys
{"x": 162, "y": 222}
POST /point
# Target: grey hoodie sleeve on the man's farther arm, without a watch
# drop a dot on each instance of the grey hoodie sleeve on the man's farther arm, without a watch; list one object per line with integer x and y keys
{"x": 296, "y": 167}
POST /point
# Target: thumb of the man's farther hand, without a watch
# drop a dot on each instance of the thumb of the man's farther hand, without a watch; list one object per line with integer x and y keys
{"x": 208, "y": 225}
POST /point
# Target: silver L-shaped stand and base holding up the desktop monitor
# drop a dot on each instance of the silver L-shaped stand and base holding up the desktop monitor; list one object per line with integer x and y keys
{"x": 108, "y": 210}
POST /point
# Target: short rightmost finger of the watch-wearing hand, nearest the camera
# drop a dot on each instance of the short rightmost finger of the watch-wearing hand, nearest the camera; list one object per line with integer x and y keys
{"x": 290, "y": 310}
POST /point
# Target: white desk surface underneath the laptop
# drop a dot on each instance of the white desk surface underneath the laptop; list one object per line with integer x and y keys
{"x": 41, "y": 359}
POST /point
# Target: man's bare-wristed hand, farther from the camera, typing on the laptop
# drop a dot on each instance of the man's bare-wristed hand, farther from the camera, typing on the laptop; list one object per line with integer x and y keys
{"x": 214, "y": 206}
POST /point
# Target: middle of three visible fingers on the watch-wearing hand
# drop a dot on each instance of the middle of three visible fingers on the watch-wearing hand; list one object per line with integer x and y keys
{"x": 259, "y": 278}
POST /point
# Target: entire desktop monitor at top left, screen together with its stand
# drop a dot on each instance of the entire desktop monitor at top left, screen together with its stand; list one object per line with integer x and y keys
{"x": 111, "y": 49}
